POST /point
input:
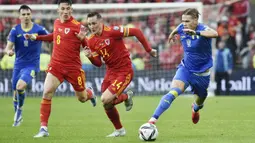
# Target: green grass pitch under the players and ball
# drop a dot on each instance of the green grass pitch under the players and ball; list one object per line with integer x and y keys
{"x": 223, "y": 120}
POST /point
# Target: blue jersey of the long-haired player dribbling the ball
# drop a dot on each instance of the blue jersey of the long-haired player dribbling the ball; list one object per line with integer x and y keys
{"x": 197, "y": 50}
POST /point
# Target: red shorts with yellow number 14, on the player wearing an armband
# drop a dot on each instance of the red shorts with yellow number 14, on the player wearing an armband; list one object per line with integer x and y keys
{"x": 117, "y": 82}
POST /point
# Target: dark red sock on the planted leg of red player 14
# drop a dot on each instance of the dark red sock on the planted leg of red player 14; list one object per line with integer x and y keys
{"x": 113, "y": 115}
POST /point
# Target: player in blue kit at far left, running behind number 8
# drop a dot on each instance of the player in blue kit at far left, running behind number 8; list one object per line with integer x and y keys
{"x": 27, "y": 57}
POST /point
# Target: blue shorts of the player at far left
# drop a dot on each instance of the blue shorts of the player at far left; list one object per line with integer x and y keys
{"x": 25, "y": 74}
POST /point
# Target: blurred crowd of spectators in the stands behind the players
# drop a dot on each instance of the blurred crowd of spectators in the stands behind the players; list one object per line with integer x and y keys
{"x": 233, "y": 24}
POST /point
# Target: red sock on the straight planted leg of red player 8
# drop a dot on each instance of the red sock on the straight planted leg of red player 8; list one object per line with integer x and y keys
{"x": 45, "y": 111}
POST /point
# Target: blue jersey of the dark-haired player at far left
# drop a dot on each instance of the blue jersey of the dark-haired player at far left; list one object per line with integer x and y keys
{"x": 27, "y": 51}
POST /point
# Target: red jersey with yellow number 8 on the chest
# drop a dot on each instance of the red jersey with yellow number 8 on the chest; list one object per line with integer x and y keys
{"x": 66, "y": 46}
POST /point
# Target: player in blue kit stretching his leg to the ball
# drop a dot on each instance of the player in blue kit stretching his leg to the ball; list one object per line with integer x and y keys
{"x": 194, "y": 69}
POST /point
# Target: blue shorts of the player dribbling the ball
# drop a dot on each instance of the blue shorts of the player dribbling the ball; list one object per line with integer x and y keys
{"x": 199, "y": 82}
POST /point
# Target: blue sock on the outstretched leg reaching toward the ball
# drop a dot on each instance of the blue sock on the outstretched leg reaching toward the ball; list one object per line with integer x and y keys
{"x": 166, "y": 101}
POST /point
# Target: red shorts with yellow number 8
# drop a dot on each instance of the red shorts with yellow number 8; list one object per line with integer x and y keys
{"x": 76, "y": 77}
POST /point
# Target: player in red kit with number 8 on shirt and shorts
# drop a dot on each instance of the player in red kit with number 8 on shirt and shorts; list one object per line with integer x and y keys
{"x": 65, "y": 63}
